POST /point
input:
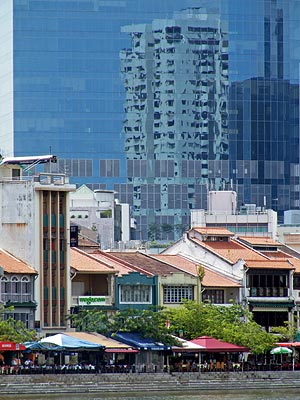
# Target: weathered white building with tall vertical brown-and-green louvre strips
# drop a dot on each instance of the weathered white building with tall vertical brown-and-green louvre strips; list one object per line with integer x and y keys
{"x": 35, "y": 227}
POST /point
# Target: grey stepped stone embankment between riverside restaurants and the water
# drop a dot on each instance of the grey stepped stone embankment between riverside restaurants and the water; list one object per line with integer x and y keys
{"x": 143, "y": 382}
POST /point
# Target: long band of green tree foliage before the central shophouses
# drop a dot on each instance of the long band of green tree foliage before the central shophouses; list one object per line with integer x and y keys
{"x": 233, "y": 324}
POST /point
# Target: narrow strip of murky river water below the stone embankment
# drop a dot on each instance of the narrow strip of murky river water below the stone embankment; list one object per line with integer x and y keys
{"x": 278, "y": 394}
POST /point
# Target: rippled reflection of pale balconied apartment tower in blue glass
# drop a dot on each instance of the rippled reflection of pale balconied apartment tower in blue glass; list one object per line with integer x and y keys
{"x": 176, "y": 82}
